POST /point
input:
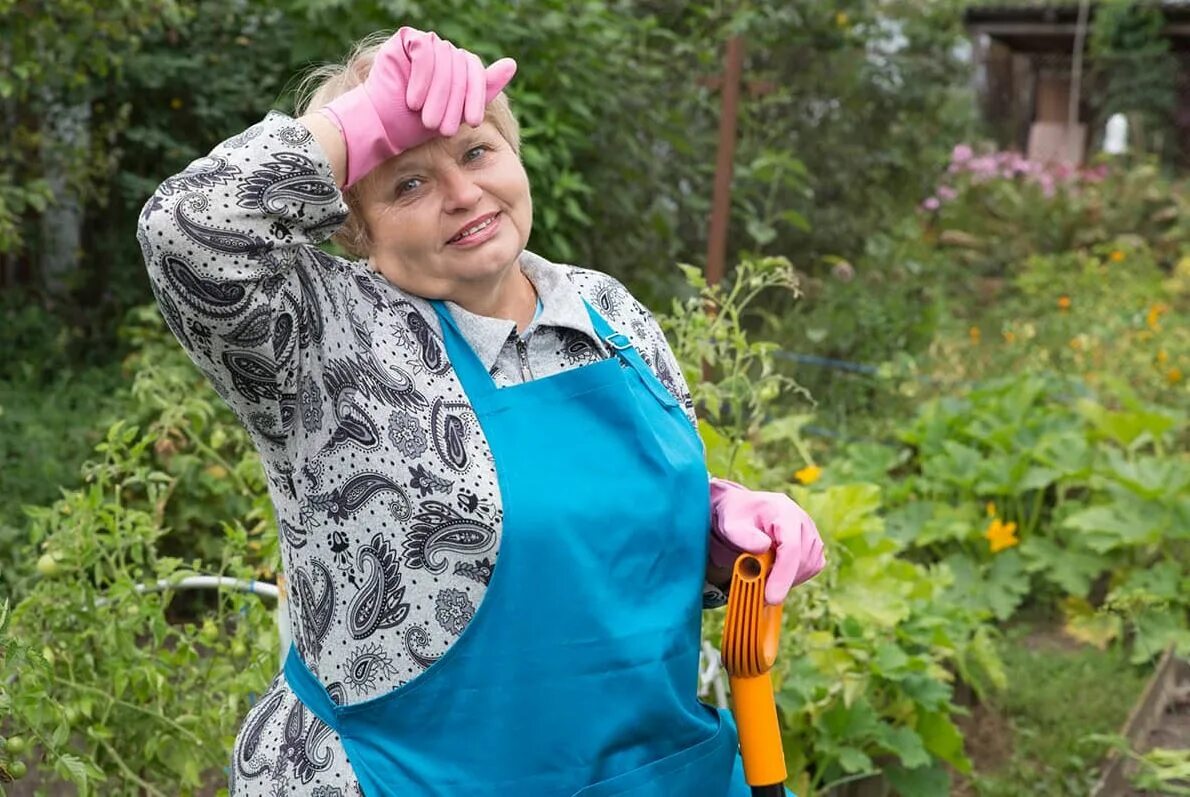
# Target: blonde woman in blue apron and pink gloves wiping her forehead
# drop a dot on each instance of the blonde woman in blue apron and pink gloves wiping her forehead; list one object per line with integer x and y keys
{"x": 491, "y": 493}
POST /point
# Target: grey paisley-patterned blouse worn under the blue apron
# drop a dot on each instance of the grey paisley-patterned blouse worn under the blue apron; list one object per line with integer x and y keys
{"x": 384, "y": 485}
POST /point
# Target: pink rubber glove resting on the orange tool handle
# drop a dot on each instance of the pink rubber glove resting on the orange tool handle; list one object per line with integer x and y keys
{"x": 753, "y": 522}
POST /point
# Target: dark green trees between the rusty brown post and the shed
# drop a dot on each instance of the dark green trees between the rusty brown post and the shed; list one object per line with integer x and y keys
{"x": 868, "y": 96}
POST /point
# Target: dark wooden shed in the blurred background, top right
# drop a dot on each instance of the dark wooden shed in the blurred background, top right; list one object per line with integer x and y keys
{"x": 1024, "y": 55}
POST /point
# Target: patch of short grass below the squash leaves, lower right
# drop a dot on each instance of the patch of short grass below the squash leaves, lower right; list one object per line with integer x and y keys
{"x": 1035, "y": 738}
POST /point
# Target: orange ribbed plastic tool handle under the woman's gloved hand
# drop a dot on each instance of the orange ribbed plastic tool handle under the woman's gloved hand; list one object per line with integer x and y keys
{"x": 751, "y": 631}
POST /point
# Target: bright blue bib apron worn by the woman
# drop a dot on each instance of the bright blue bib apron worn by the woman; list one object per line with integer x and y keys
{"x": 578, "y": 675}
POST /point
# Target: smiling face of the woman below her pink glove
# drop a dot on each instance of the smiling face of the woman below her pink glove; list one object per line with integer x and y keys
{"x": 448, "y": 219}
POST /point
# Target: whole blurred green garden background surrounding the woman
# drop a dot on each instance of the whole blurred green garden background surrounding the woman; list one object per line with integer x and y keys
{"x": 947, "y": 313}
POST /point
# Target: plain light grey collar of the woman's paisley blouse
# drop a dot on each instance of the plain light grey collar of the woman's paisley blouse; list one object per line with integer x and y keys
{"x": 562, "y": 306}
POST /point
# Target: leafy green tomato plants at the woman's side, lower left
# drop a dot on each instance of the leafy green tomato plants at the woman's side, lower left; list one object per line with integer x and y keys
{"x": 121, "y": 692}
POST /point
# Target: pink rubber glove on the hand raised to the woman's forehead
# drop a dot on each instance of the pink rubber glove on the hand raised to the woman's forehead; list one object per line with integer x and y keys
{"x": 419, "y": 87}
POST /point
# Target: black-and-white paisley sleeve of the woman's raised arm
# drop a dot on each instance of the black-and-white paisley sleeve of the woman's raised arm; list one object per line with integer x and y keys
{"x": 231, "y": 249}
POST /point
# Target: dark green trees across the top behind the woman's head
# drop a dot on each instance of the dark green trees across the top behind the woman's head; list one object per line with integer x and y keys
{"x": 617, "y": 101}
